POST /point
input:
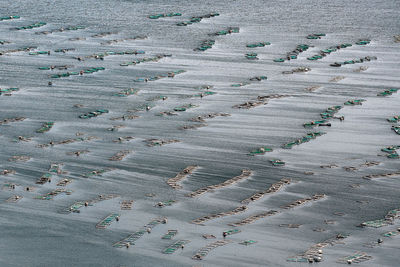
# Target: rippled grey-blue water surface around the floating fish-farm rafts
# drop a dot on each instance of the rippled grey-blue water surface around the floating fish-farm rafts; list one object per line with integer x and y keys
{"x": 35, "y": 232}
